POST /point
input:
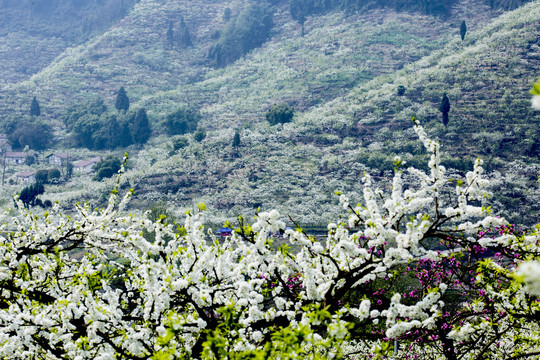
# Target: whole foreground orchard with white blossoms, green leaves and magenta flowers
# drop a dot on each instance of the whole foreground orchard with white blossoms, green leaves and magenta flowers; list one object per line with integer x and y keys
{"x": 418, "y": 272}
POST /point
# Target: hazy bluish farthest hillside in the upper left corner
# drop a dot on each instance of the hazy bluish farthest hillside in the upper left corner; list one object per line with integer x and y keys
{"x": 33, "y": 33}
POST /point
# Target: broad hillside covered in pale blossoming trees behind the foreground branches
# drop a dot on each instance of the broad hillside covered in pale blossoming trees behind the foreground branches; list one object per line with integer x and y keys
{"x": 341, "y": 77}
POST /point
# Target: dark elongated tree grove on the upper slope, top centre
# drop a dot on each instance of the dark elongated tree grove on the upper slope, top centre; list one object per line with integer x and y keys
{"x": 249, "y": 30}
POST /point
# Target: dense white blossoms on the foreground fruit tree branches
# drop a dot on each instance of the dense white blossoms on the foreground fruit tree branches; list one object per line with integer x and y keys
{"x": 103, "y": 284}
